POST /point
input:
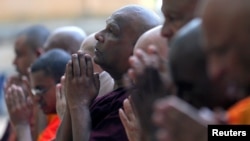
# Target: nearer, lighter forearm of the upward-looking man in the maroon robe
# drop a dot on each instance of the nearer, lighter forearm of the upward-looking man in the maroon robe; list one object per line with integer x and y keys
{"x": 80, "y": 123}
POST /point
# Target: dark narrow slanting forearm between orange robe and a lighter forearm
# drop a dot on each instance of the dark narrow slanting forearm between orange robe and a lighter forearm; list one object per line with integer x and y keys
{"x": 64, "y": 132}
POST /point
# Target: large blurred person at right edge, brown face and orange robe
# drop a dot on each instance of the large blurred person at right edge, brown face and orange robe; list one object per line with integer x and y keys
{"x": 226, "y": 46}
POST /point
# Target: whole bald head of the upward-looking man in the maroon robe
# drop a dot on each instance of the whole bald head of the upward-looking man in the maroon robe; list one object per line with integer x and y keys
{"x": 116, "y": 42}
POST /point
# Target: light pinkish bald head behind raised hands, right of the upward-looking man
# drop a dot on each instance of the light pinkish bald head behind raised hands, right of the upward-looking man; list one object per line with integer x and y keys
{"x": 153, "y": 37}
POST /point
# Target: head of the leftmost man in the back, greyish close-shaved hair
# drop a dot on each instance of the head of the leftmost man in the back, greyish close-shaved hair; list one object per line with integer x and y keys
{"x": 29, "y": 46}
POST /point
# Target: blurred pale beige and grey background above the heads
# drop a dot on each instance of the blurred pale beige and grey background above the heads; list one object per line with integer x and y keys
{"x": 90, "y": 15}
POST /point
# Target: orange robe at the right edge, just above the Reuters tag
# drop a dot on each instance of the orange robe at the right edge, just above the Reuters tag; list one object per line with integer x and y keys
{"x": 240, "y": 112}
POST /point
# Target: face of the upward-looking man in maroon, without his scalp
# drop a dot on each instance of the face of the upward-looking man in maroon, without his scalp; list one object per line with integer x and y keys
{"x": 115, "y": 43}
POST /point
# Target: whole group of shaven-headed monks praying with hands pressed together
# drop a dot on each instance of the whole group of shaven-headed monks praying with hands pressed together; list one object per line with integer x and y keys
{"x": 140, "y": 78}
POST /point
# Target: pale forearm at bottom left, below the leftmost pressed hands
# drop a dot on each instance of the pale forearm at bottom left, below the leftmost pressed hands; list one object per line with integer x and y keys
{"x": 23, "y": 132}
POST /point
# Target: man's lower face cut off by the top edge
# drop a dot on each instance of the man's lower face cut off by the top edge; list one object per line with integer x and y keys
{"x": 177, "y": 13}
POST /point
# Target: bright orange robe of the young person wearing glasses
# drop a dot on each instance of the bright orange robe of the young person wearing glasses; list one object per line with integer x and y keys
{"x": 49, "y": 133}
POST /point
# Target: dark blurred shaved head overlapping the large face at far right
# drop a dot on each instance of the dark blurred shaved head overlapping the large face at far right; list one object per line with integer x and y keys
{"x": 186, "y": 55}
